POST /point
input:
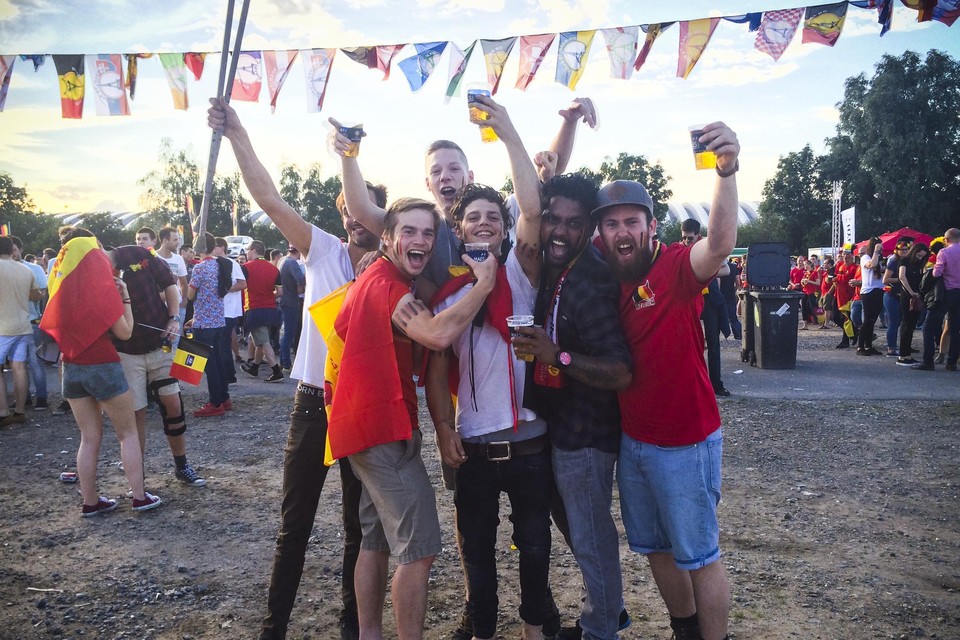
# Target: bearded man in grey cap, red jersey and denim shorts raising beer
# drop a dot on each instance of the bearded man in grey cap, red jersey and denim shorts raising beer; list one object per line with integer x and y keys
{"x": 669, "y": 466}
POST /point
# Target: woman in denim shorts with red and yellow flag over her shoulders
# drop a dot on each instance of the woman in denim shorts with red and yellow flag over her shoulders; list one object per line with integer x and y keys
{"x": 93, "y": 380}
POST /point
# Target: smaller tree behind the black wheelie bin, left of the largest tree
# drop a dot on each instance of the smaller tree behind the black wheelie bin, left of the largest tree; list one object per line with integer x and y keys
{"x": 796, "y": 206}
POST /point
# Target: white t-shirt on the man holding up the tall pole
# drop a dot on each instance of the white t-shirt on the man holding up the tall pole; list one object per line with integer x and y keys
{"x": 328, "y": 267}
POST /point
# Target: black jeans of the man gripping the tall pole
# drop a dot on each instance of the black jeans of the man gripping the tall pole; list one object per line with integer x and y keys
{"x": 303, "y": 477}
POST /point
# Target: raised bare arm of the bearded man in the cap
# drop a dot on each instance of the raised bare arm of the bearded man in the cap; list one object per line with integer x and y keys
{"x": 707, "y": 256}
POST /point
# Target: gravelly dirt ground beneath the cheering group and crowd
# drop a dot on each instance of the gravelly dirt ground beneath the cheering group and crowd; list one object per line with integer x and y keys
{"x": 839, "y": 520}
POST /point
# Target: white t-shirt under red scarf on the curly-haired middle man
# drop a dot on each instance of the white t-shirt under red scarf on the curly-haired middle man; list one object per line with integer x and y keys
{"x": 491, "y": 357}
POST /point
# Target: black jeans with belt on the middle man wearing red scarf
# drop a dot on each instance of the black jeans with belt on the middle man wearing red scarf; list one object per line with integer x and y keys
{"x": 528, "y": 482}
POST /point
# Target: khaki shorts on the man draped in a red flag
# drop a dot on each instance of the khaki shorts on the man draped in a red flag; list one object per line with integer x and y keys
{"x": 398, "y": 508}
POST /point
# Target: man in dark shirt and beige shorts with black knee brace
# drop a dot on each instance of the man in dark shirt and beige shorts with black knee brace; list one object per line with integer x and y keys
{"x": 154, "y": 297}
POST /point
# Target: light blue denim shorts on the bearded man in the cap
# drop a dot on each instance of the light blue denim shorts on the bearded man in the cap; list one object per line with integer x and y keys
{"x": 669, "y": 498}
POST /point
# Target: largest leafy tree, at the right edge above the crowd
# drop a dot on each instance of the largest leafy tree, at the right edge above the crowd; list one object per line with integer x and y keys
{"x": 897, "y": 147}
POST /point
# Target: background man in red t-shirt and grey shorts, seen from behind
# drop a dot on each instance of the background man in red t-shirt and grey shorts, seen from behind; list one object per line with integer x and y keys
{"x": 260, "y": 310}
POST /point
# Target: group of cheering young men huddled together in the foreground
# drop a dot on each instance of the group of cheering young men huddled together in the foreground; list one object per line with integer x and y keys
{"x": 609, "y": 378}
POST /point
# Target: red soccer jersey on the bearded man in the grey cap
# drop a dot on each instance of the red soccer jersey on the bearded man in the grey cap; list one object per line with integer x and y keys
{"x": 670, "y": 401}
